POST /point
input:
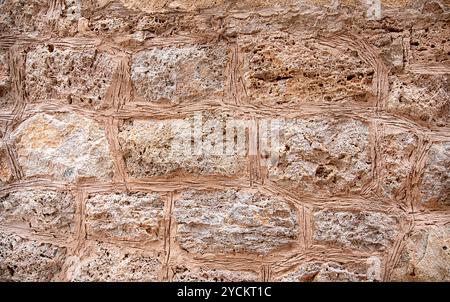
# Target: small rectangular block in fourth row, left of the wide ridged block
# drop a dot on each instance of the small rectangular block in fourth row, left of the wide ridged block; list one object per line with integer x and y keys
{"x": 122, "y": 216}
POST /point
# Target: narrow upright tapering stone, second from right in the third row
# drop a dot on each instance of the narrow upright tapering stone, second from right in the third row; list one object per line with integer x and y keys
{"x": 397, "y": 149}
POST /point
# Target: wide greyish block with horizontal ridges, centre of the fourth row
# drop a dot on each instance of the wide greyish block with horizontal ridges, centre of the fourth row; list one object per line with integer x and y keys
{"x": 233, "y": 221}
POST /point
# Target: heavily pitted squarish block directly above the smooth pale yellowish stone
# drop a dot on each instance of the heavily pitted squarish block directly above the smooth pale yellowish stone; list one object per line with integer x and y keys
{"x": 80, "y": 77}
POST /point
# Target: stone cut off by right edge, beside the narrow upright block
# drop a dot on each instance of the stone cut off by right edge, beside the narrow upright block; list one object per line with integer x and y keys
{"x": 435, "y": 184}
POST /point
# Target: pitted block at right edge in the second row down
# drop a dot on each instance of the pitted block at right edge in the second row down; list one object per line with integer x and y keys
{"x": 423, "y": 98}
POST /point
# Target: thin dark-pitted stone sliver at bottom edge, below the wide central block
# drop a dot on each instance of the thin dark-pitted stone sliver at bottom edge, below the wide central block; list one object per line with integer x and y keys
{"x": 182, "y": 273}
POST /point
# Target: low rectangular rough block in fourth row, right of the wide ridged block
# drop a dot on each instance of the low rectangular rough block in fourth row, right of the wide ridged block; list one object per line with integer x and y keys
{"x": 364, "y": 230}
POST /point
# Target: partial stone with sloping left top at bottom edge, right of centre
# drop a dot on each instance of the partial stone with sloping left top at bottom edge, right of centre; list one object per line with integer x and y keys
{"x": 334, "y": 272}
